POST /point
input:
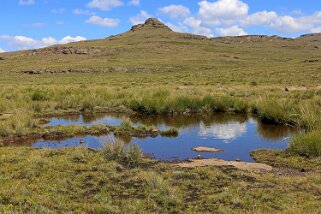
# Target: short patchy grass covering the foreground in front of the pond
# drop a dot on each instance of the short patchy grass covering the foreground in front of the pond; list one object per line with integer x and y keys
{"x": 81, "y": 180}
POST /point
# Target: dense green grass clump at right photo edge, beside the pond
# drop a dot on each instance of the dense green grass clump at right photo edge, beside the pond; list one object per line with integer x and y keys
{"x": 308, "y": 145}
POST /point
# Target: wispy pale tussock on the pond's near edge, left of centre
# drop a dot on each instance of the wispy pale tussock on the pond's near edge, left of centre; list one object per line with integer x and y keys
{"x": 130, "y": 155}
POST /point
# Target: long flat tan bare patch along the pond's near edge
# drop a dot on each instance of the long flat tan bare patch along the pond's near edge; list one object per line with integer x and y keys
{"x": 217, "y": 162}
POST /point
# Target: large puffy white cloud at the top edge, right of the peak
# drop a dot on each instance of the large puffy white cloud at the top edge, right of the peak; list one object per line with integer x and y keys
{"x": 222, "y": 11}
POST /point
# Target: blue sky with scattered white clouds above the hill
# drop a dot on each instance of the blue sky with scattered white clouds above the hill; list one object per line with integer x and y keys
{"x": 30, "y": 24}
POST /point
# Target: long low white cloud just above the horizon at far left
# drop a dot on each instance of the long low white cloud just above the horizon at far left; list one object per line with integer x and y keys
{"x": 23, "y": 43}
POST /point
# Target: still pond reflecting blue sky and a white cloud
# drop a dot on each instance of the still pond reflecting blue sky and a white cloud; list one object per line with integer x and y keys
{"x": 236, "y": 135}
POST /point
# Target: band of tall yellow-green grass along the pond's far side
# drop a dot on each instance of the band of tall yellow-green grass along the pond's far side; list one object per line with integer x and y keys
{"x": 21, "y": 104}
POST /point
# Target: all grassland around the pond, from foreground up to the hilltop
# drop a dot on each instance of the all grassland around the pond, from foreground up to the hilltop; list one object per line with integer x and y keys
{"x": 157, "y": 71}
